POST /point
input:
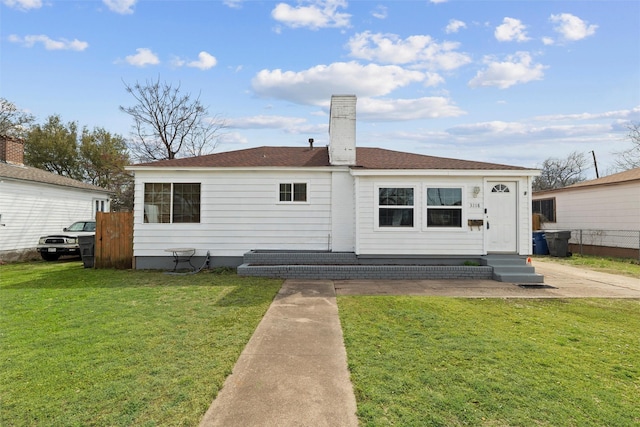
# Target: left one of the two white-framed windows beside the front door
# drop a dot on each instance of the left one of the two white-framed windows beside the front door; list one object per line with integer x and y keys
{"x": 395, "y": 207}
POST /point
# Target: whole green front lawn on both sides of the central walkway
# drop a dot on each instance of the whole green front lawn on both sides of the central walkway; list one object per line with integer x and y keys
{"x": 83, "y": 347}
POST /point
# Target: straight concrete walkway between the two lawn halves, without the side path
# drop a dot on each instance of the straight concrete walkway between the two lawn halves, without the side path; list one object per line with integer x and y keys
{"x": 293, "y": 371}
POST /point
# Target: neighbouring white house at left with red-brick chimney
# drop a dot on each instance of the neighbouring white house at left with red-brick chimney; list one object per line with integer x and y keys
{"x": 34, "y": 202}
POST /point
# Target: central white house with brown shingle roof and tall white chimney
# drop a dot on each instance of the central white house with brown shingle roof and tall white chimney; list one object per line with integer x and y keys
{"x": 370, "y": 202}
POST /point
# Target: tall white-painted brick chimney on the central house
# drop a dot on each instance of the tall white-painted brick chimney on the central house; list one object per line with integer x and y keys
{"x": 342, "y": 130}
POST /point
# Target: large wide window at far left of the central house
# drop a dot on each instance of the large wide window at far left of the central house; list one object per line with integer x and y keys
{"x": 171, "y": 203}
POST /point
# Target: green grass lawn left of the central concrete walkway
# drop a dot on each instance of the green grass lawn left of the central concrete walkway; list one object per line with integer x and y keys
{"x": 84, "y": 347}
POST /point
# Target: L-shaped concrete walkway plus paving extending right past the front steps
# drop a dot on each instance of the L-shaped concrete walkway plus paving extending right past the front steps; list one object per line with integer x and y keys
{"x": 293, "y": 371}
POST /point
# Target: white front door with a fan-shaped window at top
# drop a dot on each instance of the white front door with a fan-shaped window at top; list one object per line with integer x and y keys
{"x": 501, "y": 218}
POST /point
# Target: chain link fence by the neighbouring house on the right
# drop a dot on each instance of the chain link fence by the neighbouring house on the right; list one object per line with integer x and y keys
{"x": 614, "y": 243}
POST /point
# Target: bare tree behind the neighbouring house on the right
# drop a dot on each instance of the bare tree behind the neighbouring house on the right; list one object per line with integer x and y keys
{"x": 558, "y": 173}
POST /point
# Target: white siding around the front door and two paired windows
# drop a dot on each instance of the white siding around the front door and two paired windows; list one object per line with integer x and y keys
{"x": 424, "y": 240}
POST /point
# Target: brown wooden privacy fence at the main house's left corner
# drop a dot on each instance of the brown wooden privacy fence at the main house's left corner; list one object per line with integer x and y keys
{"x": 114, "y": 240}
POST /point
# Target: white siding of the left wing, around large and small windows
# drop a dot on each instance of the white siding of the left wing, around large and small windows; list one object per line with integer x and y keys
{"x": 240, "y": 211}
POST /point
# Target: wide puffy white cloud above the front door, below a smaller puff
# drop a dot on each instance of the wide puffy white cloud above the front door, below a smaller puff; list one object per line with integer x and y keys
{"x": 518, "y": 68}
